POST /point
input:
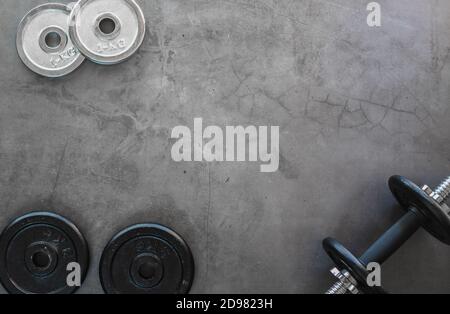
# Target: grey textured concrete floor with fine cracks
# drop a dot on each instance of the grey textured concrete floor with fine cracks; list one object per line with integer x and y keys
{"x": 354, "y": 104}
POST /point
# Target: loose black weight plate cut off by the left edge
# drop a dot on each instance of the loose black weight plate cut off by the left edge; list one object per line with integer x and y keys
{"x": 35, "y": 250}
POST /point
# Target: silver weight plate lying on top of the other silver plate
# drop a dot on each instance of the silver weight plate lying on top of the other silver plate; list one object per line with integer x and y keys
{"x": 107, "y": 31}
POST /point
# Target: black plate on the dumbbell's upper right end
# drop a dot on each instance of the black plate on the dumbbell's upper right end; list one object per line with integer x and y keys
{"x": 409, "y": 195}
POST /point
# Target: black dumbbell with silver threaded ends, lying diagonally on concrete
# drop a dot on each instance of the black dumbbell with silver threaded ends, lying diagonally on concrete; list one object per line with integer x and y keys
{"x": 424, "y": 208}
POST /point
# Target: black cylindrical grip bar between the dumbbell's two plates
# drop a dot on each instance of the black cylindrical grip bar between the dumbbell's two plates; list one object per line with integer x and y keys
{"x": 393, "y": 239}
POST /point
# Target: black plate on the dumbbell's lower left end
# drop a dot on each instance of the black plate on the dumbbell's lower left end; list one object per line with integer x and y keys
{"x": 345, "y": 260}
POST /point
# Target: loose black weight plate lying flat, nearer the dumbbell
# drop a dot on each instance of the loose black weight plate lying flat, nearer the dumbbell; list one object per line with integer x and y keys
{"x": 147, "y": 259}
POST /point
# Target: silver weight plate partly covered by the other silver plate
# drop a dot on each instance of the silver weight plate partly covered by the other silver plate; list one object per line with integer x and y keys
{"x": 43, "y": 41}
